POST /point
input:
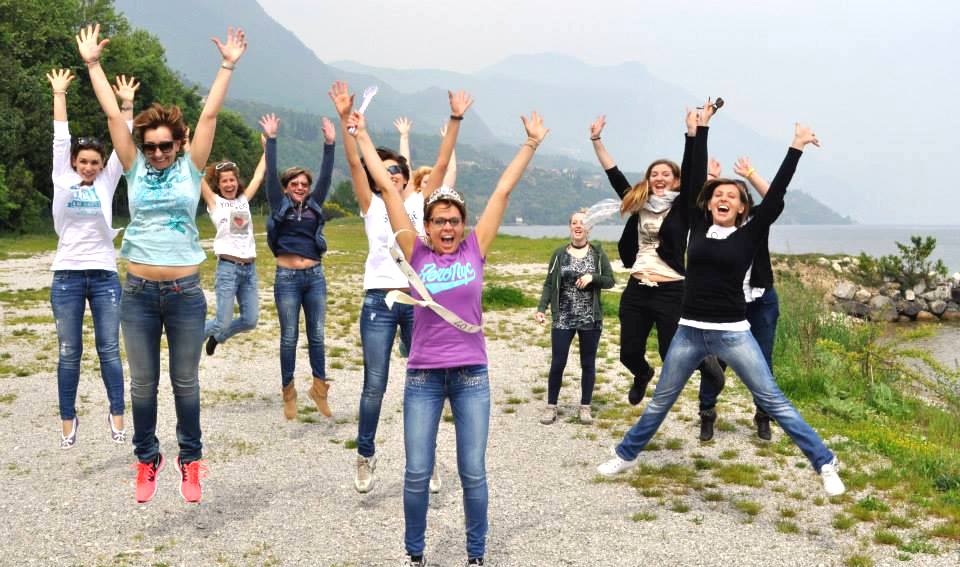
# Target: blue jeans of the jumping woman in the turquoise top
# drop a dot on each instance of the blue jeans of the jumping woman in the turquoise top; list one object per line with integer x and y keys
{"x": 147, "y": 309}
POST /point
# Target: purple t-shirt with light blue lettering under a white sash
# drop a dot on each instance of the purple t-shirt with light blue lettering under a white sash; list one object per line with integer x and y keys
{"x": 456, "y": 282}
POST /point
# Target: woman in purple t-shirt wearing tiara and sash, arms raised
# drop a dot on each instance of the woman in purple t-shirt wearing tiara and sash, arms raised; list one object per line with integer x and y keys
{"x": 447, "y": 361}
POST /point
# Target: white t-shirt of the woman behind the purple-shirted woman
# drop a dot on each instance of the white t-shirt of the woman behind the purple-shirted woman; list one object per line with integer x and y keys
{"x": 380, "y": 271}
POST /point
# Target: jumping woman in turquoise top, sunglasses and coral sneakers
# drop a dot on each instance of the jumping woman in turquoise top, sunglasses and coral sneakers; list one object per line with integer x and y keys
{"x": 162, "y": 246}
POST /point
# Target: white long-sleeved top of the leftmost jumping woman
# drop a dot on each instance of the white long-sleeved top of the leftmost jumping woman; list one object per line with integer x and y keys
{"x": 83, "y": 214}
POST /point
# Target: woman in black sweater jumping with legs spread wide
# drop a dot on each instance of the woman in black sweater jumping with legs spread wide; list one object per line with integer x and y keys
{"x": 722, "y": 247}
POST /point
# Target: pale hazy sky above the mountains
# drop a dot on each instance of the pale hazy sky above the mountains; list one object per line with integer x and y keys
{"x": 878, "y": 79}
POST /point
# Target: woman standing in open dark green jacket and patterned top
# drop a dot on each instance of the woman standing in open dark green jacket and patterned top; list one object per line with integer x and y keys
{"x": 575, "y": 275}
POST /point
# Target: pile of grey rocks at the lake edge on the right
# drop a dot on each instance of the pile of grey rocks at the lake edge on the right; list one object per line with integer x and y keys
{"x": 936, "y": 299}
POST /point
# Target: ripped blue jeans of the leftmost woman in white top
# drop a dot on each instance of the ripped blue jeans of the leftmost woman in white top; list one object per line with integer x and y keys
{"x": 69, "y": 293}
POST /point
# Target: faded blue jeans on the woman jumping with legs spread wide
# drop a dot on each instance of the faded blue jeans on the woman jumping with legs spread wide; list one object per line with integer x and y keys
{"x": 739, "y": 349}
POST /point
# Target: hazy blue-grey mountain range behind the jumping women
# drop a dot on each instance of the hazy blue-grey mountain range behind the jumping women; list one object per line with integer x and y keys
{"x": 644, "y": 113}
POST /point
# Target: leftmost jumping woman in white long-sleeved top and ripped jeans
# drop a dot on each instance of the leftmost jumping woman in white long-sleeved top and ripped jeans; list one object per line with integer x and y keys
{"x": 85, "y": 266}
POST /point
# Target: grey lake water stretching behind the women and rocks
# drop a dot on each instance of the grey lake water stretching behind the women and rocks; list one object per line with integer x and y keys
{"x": 875, "y": 240}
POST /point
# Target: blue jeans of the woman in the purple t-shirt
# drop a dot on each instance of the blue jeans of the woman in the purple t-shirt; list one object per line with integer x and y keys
{"x": 469, "y": 391}
